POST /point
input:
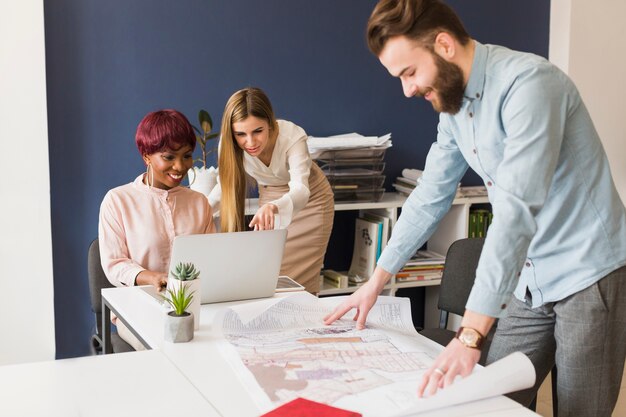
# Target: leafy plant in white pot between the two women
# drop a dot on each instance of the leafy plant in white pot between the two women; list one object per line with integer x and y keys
{"x": 204, "y": 179}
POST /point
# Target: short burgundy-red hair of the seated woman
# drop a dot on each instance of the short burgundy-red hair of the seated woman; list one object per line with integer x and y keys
{"x": 164, "y": 129}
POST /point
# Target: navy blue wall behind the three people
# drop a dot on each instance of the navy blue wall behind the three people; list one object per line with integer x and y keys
{"x": 110, "y": 62}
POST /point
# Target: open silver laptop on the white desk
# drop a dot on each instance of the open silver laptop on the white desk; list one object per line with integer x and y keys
{"x": 233, "y": 266}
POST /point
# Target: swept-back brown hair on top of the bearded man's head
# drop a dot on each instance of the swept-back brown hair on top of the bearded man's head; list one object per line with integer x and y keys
{"x": 418, "y": 20}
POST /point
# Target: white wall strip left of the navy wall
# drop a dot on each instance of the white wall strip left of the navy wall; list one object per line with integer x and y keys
{"x": 26, "y": 305}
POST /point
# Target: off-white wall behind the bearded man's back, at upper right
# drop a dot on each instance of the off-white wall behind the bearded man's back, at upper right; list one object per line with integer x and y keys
{"x": 587, "y": 42}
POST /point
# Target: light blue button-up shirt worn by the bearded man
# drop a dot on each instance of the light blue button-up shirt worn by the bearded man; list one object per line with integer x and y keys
{"x": 558, "y": 223}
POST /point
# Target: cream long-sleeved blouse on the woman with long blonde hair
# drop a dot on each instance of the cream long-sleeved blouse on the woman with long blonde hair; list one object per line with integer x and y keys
{"x": 290, "y": 164}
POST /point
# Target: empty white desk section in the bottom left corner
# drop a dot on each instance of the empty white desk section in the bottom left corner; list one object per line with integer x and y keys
{"x": 128, "y": 384}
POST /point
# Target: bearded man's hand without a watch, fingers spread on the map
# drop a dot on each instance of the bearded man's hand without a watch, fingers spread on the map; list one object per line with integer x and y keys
{"x": 363, "y": 299}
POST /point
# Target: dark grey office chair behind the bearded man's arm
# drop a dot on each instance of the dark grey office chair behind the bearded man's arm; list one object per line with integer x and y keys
{"x": 456, "y": 284}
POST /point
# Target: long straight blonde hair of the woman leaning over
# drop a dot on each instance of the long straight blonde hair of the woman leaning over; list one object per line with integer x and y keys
{"x": 249, "y": 101}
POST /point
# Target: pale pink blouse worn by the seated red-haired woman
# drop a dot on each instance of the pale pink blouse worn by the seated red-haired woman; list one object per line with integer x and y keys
{"x": 138, "y": 224}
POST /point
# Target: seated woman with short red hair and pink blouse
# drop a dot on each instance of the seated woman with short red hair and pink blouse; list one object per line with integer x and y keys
{"x": 139, "y": 220}
